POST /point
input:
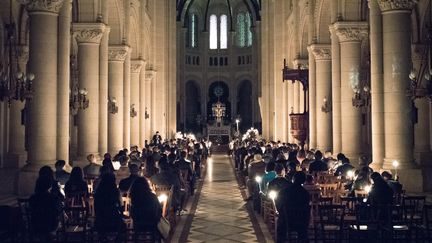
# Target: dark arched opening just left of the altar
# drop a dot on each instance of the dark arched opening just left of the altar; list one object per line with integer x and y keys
{"x": 192, "y": 105}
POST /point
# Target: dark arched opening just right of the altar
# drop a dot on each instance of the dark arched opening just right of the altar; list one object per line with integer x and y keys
{"x": 245, "y": 104}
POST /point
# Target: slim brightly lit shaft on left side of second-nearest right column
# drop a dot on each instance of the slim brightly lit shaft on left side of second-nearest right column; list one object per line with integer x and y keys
{"x": 336, "y": 92}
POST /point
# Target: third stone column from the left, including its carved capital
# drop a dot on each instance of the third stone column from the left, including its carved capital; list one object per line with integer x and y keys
{"x": 117, "y": 56}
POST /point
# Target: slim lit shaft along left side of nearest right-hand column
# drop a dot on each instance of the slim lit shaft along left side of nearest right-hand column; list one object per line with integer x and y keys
{"x": 377, "y": 92}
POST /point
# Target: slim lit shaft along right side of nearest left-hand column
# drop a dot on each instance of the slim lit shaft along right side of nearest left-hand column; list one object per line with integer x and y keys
{"x": 63, "y": 81}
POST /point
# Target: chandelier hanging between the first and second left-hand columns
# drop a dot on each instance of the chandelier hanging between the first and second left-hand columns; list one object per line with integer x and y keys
{"x": 78, "y": 97}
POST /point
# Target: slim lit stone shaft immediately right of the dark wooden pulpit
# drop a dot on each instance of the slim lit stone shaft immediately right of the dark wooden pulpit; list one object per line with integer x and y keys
{"x": 312, "y": 100}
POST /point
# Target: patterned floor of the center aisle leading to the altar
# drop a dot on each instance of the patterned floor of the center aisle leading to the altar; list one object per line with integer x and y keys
{"x": 221, "y": 215}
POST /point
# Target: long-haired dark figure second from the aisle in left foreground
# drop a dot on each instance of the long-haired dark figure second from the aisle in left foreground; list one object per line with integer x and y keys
{"x": 108, "y": 206}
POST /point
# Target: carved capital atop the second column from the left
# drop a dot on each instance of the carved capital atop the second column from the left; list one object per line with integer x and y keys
{"x": 88, "y": 33}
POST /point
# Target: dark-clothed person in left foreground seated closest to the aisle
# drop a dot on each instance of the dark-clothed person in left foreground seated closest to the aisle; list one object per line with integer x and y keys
{"x": 146, "y": 210}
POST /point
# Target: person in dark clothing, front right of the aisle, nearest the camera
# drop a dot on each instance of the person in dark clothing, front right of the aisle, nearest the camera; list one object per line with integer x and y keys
{"x": 293, "y": 198}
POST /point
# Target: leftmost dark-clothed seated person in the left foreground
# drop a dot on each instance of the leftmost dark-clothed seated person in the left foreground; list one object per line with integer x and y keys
{"x": 45, "y": 208}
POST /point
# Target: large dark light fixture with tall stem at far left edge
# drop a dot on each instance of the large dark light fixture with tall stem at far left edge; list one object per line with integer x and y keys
{"x": 14, "y": 84}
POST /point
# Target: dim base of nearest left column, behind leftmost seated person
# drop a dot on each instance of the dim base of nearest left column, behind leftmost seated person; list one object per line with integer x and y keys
{"x": 26, "y": 179}
